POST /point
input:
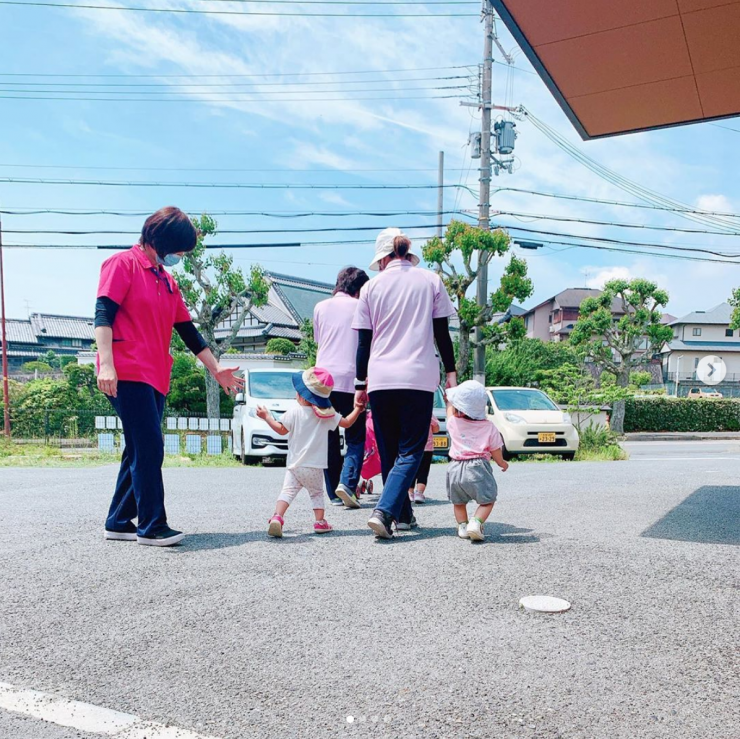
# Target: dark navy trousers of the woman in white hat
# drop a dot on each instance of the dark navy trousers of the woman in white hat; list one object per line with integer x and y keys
{"x": 401, "y": 422}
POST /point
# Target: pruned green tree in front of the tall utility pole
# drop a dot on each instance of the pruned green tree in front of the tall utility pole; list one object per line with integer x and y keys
{"x": 476, "y": 247}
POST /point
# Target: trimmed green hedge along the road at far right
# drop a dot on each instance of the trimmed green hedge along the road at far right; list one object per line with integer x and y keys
{"x": 681, "y": 414}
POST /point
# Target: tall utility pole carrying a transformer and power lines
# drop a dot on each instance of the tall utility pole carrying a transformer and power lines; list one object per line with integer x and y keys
{"x": 484, "y": 207}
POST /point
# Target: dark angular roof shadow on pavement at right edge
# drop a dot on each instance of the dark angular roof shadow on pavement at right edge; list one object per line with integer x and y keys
{"x": 711, "y": 515}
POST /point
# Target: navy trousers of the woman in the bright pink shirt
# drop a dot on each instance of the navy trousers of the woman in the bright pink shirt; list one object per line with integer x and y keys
{"x": 140, "y": 488}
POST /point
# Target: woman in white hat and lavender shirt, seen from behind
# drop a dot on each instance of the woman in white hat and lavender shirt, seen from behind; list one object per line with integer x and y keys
{"x": 401, "y": 313}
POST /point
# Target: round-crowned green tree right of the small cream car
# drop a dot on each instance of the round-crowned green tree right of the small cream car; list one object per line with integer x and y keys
{"x": 622, "y": 344}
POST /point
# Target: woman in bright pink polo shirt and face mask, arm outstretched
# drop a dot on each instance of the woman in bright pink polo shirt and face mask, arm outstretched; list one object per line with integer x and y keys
{"x": 138, "y": 306}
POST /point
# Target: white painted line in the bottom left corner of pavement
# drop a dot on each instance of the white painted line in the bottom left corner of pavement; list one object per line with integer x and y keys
{"x": 87, "y": 717}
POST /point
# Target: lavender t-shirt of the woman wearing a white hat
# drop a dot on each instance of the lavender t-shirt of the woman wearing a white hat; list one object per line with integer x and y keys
{"x": 399, "y": 306}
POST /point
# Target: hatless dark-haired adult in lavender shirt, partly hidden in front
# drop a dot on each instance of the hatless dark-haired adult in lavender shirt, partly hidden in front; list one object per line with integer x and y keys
{"x": 337, "y": 342}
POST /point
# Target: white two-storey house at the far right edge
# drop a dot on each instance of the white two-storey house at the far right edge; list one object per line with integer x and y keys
{"x": 700, "y": 334}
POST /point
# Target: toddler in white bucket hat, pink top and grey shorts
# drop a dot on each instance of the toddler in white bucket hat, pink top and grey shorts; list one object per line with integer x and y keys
{"x": 474, "y": 441}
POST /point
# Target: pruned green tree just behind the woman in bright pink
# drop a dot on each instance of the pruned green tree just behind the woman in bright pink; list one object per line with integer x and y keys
{"x": 215, "y": 291}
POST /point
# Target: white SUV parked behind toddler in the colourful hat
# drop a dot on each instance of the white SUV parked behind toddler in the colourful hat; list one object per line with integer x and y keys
{"x": 253, "y": 439}
